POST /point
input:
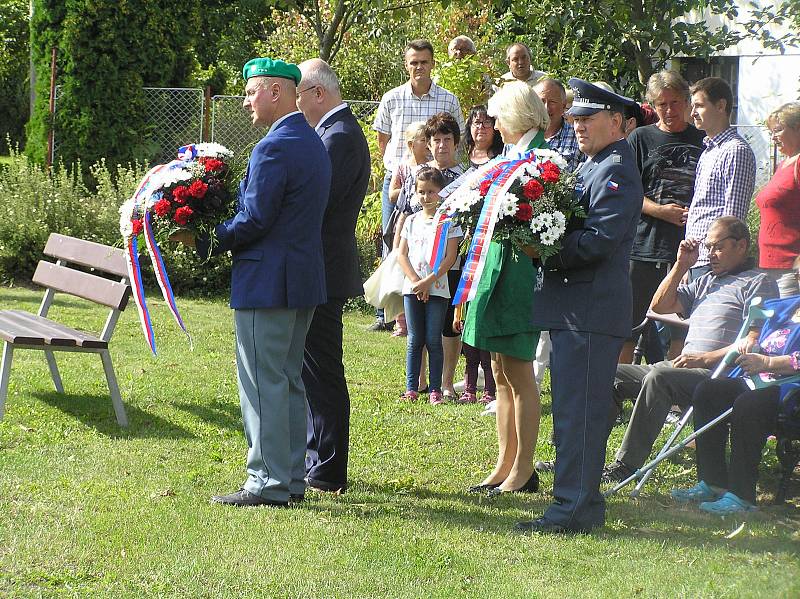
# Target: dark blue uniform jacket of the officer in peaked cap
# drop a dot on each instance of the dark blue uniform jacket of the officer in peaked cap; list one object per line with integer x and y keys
{"x": 586, "y": 286}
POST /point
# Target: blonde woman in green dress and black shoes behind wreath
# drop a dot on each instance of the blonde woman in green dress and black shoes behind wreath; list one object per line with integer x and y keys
{"x": 498, "y": 319}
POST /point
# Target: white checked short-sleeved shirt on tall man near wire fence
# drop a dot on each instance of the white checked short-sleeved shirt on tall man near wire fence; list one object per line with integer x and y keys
{"x": 399, "y": 108}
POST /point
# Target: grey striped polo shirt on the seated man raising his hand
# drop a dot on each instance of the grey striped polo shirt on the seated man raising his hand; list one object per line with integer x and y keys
{"x": 717, "y": 306}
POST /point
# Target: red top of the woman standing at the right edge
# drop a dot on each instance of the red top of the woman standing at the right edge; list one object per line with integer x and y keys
{"x": 779, "y": 204}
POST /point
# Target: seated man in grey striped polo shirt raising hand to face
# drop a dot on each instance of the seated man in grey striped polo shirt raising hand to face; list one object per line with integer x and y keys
{"x": 716, "y": 305}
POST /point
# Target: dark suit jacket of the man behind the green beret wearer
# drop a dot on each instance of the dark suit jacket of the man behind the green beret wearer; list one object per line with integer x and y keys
{"x": 349, "y": 153}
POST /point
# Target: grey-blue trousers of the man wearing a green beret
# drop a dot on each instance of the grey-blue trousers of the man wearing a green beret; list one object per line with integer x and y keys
{"x": 269, "y": 360}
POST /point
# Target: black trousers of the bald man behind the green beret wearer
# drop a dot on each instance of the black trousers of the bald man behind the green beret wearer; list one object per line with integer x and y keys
{"x": 328, "y": 398}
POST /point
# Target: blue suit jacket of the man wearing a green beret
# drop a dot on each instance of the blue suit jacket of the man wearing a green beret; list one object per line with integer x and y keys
{"x": 276, "y": 236}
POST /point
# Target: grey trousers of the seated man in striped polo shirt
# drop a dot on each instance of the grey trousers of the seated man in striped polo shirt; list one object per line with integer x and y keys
{"x": 656, "y": 387}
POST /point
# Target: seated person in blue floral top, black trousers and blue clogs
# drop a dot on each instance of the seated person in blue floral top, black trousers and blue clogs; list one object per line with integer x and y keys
{"x": 772, "y": 366}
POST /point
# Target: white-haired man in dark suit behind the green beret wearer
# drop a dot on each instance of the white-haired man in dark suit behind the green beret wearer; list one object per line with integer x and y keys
{"x": 320, "y": 101}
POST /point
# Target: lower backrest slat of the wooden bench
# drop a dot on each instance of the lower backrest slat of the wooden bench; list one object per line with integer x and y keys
{"x": 81, "y": 284}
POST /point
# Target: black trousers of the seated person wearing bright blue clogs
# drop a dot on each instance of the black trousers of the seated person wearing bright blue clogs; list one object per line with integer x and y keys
{"x": 753, "y": 418}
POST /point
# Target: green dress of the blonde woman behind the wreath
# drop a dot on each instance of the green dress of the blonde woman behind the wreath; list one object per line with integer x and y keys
{"x": 499, "y": 318}
